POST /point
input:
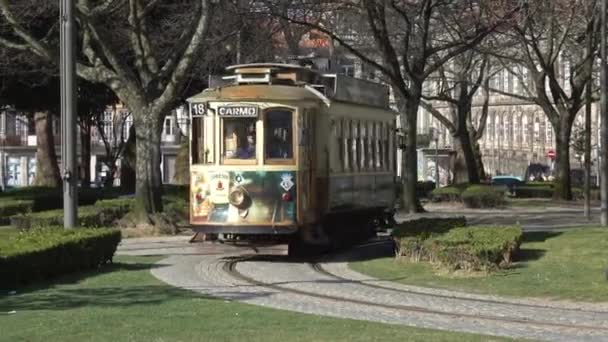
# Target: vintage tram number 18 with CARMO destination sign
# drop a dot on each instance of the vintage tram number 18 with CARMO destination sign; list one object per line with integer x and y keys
{"x": 283, "y": 150}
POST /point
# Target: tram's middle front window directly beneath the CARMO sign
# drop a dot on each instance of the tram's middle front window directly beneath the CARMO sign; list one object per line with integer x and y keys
{"x": 239, "y": 139}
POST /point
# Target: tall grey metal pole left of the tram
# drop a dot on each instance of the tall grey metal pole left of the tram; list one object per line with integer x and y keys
{"x": 68, "y": 117}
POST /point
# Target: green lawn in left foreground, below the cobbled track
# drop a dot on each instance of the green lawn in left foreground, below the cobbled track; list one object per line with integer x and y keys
{"x": 125, "y": 302}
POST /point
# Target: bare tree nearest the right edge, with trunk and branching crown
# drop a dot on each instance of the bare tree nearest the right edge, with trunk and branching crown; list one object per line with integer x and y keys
{"x": 550, "y": 58}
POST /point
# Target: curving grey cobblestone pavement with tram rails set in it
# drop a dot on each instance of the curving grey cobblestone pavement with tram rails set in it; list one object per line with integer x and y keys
{"x": 330, "y": 288}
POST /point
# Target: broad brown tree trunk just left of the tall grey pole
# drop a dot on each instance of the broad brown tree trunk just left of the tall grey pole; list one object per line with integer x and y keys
{"x": 47, "y": 169}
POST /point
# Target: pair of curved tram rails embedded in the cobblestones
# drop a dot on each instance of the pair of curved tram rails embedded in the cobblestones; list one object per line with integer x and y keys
{"x": 230, "y": 267}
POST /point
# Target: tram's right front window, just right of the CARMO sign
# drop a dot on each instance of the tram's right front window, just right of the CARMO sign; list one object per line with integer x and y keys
{"x": 279, "y": 134}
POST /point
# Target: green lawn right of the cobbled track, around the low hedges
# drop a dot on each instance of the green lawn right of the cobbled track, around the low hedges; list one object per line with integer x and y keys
{"x": 569, "y": 265}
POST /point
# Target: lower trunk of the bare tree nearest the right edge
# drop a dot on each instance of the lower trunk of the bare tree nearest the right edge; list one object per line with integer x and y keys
{"x": 563, "y": 182}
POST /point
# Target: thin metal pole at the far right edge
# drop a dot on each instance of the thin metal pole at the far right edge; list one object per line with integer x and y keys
{"x": 604, "y": 119}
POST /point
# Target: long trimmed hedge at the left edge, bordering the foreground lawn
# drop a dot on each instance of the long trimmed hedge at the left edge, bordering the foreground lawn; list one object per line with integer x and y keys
{"x": 46, "y": 253}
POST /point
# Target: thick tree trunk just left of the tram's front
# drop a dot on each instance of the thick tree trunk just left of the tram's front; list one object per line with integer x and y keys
{"x": 148, "y": 184}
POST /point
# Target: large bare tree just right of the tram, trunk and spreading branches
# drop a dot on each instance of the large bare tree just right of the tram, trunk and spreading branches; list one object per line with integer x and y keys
{"x": 413, "y": 40}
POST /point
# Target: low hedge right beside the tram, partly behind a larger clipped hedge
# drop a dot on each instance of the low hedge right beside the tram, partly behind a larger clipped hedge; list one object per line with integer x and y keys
{"x": 409, "y": 236}
